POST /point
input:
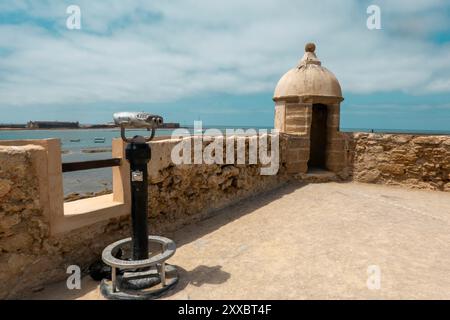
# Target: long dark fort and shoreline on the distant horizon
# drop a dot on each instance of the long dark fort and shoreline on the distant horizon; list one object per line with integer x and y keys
{"x": 70, "y": 125}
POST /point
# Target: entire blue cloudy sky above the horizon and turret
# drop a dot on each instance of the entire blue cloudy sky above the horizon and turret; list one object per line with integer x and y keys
{"x": 219, "y": 61}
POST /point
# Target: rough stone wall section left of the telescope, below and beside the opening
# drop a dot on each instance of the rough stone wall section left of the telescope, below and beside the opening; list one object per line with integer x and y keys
{"x": 29, "y": 256}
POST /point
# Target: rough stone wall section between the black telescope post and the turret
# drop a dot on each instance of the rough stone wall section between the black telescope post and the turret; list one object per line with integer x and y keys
{"x": 181, "y": 193}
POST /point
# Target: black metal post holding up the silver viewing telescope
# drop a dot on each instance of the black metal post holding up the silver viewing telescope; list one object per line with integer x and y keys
{"x": 138, "y": 153}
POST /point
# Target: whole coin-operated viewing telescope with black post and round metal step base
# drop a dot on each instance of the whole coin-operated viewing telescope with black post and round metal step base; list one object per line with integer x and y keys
{"x": 142, "y": 274}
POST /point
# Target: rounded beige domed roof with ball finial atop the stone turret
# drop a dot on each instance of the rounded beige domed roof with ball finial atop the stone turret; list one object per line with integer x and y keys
{"x": 309, "y": 78}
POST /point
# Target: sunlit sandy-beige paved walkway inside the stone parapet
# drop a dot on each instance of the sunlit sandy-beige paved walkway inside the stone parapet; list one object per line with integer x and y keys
{"x": 313, "y": 241}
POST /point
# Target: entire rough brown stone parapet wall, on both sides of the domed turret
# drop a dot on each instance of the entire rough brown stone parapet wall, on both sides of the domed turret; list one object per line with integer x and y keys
{"x": 30, "y": 256}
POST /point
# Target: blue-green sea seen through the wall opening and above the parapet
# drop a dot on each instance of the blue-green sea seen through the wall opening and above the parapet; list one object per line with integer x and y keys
{"x": 74, "y": 141}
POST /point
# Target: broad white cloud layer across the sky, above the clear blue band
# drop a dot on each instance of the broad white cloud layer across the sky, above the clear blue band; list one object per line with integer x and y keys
{"x": 159, "y": 51}
